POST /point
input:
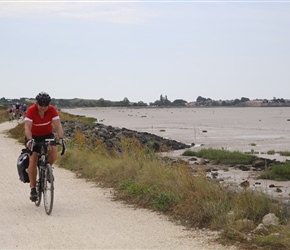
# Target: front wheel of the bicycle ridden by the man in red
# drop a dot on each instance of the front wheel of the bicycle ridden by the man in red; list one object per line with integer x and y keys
{"x": 48, "y": 189}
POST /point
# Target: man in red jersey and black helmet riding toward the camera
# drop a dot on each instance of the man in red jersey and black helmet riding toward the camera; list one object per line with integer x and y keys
{"x": 40, "y": 119}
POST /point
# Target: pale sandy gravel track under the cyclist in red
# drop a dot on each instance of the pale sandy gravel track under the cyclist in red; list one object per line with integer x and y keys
{"x": 84, "y": 216}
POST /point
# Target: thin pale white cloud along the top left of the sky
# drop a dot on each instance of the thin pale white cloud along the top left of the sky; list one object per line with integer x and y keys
{"x": 111, "y": 12}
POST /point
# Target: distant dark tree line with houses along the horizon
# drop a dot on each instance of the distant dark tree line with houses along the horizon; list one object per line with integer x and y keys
{"x": 163, "y": 101}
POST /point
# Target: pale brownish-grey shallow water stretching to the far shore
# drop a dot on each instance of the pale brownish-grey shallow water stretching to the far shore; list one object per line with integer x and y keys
{"x": 244, "y": 129}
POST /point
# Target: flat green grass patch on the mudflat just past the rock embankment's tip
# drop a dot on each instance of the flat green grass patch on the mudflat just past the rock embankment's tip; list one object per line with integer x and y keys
{"x": 221, "y": 156}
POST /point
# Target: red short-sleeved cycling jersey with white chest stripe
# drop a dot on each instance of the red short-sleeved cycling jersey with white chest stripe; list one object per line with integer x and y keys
{"x": 41, "y": 127}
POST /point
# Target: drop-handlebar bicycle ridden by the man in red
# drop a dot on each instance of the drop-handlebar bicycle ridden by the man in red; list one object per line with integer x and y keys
{"x": 45, "y": 178}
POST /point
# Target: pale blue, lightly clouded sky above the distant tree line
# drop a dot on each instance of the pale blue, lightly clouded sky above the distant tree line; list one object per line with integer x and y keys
{"x": 141, "y": 50}
